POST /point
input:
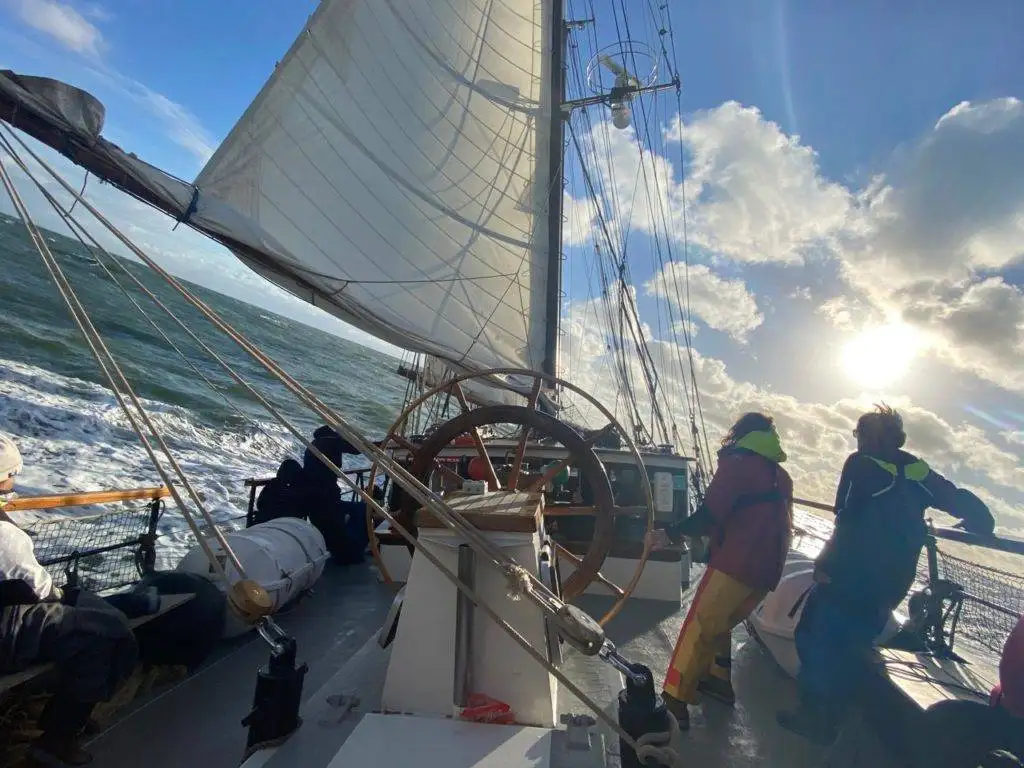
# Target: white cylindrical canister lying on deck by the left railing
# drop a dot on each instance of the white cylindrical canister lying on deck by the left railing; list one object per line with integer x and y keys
{"x": 284, "y": 557}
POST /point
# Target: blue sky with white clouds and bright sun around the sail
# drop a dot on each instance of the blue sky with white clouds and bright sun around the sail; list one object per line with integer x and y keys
{"x": 850, "y": 166}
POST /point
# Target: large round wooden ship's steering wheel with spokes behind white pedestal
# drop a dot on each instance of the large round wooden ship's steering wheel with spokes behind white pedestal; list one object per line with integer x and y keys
{"x": 534, "y": 433}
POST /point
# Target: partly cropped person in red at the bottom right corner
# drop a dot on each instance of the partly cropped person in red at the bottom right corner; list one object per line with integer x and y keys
{"x": 962, "y": 734}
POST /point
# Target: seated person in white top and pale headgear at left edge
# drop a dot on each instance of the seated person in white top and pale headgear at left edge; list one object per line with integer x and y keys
{"x": 91, "y": 643}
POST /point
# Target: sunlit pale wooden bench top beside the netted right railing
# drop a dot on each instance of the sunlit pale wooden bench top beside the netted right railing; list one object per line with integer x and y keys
{"x": 926, "y": 680}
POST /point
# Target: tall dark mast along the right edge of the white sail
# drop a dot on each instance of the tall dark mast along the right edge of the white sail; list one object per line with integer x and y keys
{"x": 556, "y": 181}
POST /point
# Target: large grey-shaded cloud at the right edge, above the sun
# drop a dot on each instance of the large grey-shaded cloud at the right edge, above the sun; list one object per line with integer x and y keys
{"x": 932, "y": 230}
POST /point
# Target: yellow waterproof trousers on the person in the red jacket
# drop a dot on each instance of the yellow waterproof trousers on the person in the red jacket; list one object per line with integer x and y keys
{"x": 719, "y": 605}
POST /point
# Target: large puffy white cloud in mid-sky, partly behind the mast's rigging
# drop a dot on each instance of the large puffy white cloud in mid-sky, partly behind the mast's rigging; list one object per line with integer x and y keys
{"x": 751, "y": 193}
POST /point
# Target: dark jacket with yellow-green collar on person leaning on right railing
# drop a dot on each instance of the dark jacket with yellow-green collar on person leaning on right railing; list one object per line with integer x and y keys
{"x": 873, "y": 556}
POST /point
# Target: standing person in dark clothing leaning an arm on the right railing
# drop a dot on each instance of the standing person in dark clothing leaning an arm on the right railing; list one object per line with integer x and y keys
{"x": 868, "y": 567}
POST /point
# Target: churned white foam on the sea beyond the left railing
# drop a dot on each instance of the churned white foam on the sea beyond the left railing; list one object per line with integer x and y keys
{"x": 74, "y": 438}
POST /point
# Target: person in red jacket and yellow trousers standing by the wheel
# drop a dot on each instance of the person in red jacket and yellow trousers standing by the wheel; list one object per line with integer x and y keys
{"x": 748, "y": 511}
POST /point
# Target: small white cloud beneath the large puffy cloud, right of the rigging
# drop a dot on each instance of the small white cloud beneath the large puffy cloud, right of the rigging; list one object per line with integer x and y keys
{"x": 723, "y": 305}
